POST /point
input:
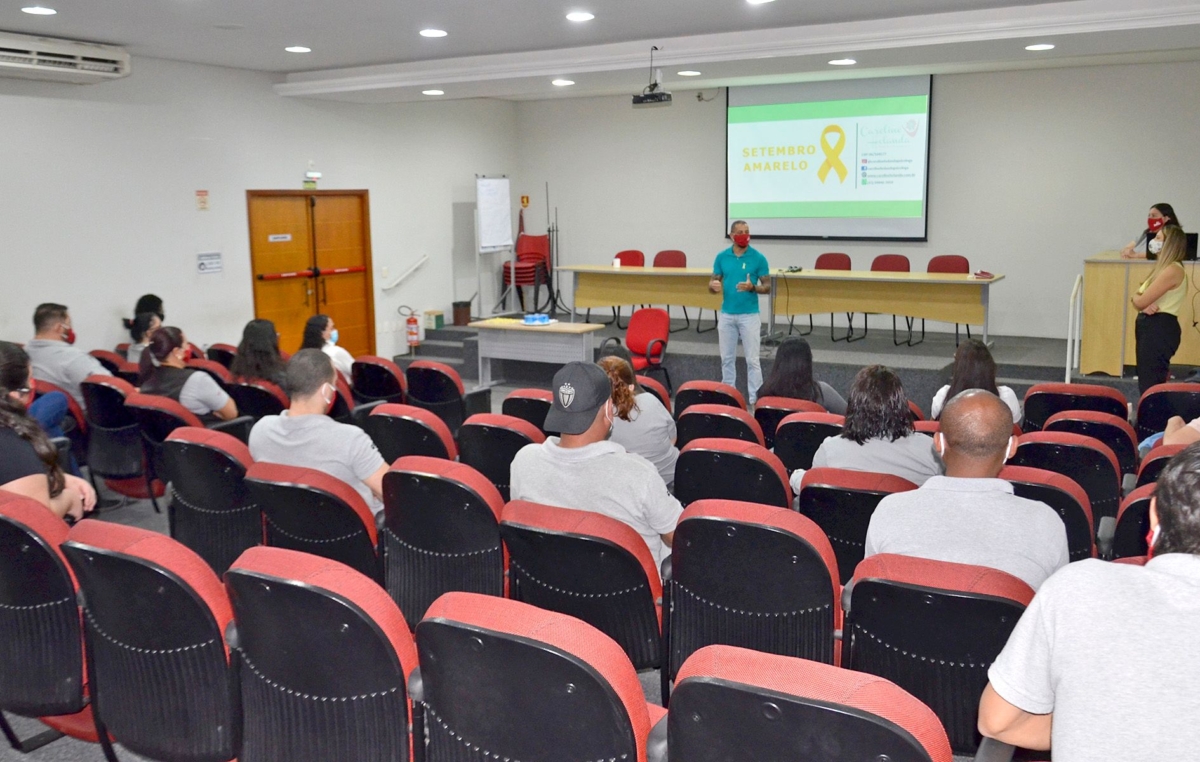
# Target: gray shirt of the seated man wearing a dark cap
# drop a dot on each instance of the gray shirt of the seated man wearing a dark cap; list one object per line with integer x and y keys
{"x": 602, "y": 478}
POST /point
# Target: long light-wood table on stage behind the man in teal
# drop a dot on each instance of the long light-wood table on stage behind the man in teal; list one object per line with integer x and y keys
{"x": 944, "y": 297}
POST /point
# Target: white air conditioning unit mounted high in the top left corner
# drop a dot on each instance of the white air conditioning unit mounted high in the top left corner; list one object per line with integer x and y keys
{"x": 61, "y": 61}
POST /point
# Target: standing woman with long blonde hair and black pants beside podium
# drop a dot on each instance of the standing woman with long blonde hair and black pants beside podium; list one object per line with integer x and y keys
{"x": 1159, "y": 303}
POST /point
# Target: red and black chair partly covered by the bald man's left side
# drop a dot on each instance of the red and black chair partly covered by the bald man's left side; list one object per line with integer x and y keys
{"x": 842, "y": 503}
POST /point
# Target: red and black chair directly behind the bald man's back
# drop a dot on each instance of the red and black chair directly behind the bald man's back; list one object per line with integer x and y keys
{"x": 933, "y": 628}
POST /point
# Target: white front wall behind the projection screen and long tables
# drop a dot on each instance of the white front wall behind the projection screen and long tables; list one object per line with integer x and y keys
{"x": 1030, "y": 173}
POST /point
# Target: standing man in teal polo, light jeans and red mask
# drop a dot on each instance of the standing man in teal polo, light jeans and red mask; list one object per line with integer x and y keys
{"x": 742, "y": 274}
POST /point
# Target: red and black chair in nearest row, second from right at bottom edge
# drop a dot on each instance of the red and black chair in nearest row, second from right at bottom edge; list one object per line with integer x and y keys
{"x": 556, "y": 688}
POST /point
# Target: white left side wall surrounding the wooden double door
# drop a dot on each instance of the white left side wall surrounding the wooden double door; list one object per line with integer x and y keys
{"x": 98, "y": 187}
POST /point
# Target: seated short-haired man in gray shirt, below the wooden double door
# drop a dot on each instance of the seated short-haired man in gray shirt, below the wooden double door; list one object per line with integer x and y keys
{"x": 305, "y": 436}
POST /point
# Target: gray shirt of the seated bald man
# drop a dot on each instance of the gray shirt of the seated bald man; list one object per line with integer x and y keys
{"x": 971, "y": 521}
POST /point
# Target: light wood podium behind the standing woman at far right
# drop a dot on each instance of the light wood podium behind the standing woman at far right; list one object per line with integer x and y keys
{"x": 1107, "y": 339}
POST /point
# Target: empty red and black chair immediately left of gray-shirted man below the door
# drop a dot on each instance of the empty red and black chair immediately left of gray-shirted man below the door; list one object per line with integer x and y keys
{"x": 211, "y": 507}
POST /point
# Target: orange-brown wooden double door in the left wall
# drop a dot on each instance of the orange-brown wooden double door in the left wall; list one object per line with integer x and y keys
{"x": 311, "y": 255}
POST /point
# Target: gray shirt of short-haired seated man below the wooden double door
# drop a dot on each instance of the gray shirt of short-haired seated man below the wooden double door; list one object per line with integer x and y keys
{"x": 319, "y": 442}
